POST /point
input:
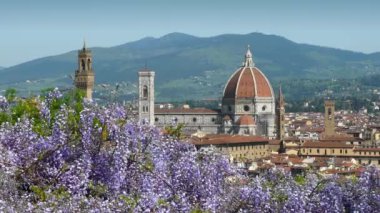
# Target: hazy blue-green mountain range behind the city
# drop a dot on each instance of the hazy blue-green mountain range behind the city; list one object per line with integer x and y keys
{"x": 194, "y": 67}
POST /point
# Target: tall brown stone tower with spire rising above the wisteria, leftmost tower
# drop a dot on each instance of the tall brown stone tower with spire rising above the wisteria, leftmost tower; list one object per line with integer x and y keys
{"x": 84, "y": 75}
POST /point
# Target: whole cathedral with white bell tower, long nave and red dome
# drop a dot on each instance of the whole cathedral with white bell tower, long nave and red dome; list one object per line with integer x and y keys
{"x": 248, "y": 105}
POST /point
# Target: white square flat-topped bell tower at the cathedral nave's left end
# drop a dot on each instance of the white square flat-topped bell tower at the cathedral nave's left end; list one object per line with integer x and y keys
{"x": 146, "y": 96}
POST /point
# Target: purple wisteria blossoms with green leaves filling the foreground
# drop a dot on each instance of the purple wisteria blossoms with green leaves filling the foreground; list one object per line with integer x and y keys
{"x": 97, "y": 160}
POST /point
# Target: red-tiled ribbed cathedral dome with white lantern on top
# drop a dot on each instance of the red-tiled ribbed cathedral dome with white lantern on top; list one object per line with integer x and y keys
{"x": 248, "y": 82}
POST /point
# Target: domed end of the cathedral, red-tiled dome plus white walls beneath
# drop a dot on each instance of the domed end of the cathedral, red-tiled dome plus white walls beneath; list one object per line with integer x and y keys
{"x": 248, "y": 93}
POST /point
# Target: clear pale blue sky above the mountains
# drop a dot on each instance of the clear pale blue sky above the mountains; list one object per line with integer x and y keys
{"x": 33, "y": 29}
